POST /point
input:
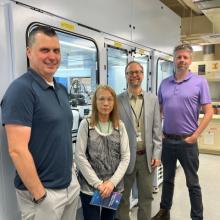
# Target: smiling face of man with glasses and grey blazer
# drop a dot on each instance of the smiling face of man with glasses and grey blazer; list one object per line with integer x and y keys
{"x": 134, "y": 75}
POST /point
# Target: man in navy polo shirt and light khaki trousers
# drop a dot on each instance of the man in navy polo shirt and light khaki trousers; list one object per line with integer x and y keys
{"x": 38, "y": 122}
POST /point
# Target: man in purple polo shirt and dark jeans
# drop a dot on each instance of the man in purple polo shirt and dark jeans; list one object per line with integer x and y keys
{"x": 181, "y": 96}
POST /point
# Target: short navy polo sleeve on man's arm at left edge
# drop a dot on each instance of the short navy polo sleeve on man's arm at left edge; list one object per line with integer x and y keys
{"x": 18, "y": 105}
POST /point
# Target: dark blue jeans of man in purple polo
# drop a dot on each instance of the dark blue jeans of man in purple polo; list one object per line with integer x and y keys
{"x": 188, "y": 156}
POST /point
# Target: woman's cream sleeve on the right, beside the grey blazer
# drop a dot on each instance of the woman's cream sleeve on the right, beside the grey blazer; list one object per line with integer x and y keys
{"x": 125, "y": 156}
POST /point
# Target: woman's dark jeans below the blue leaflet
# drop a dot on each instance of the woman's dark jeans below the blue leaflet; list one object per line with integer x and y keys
{"x": 91, "y": 212}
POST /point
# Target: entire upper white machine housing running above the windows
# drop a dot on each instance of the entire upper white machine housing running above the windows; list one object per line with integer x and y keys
{"x": 150, "y": 18}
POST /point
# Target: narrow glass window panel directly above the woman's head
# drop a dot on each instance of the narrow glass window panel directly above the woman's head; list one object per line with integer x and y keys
{"x": 117, "y": 60}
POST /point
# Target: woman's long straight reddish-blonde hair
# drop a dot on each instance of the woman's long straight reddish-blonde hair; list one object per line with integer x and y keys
{"x": 114, "y": 116}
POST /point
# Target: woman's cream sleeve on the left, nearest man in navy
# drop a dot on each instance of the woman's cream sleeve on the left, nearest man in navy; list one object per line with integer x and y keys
{"x": 80, "y": 156}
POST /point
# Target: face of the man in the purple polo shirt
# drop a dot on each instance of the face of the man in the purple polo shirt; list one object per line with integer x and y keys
{"x": 182, "y": 61}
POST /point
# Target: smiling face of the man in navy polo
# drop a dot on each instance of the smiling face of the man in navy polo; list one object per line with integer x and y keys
{"x": 44, "y": 55}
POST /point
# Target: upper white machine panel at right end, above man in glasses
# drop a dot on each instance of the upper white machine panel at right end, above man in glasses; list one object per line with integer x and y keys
{"x": 155, "y": 25}
